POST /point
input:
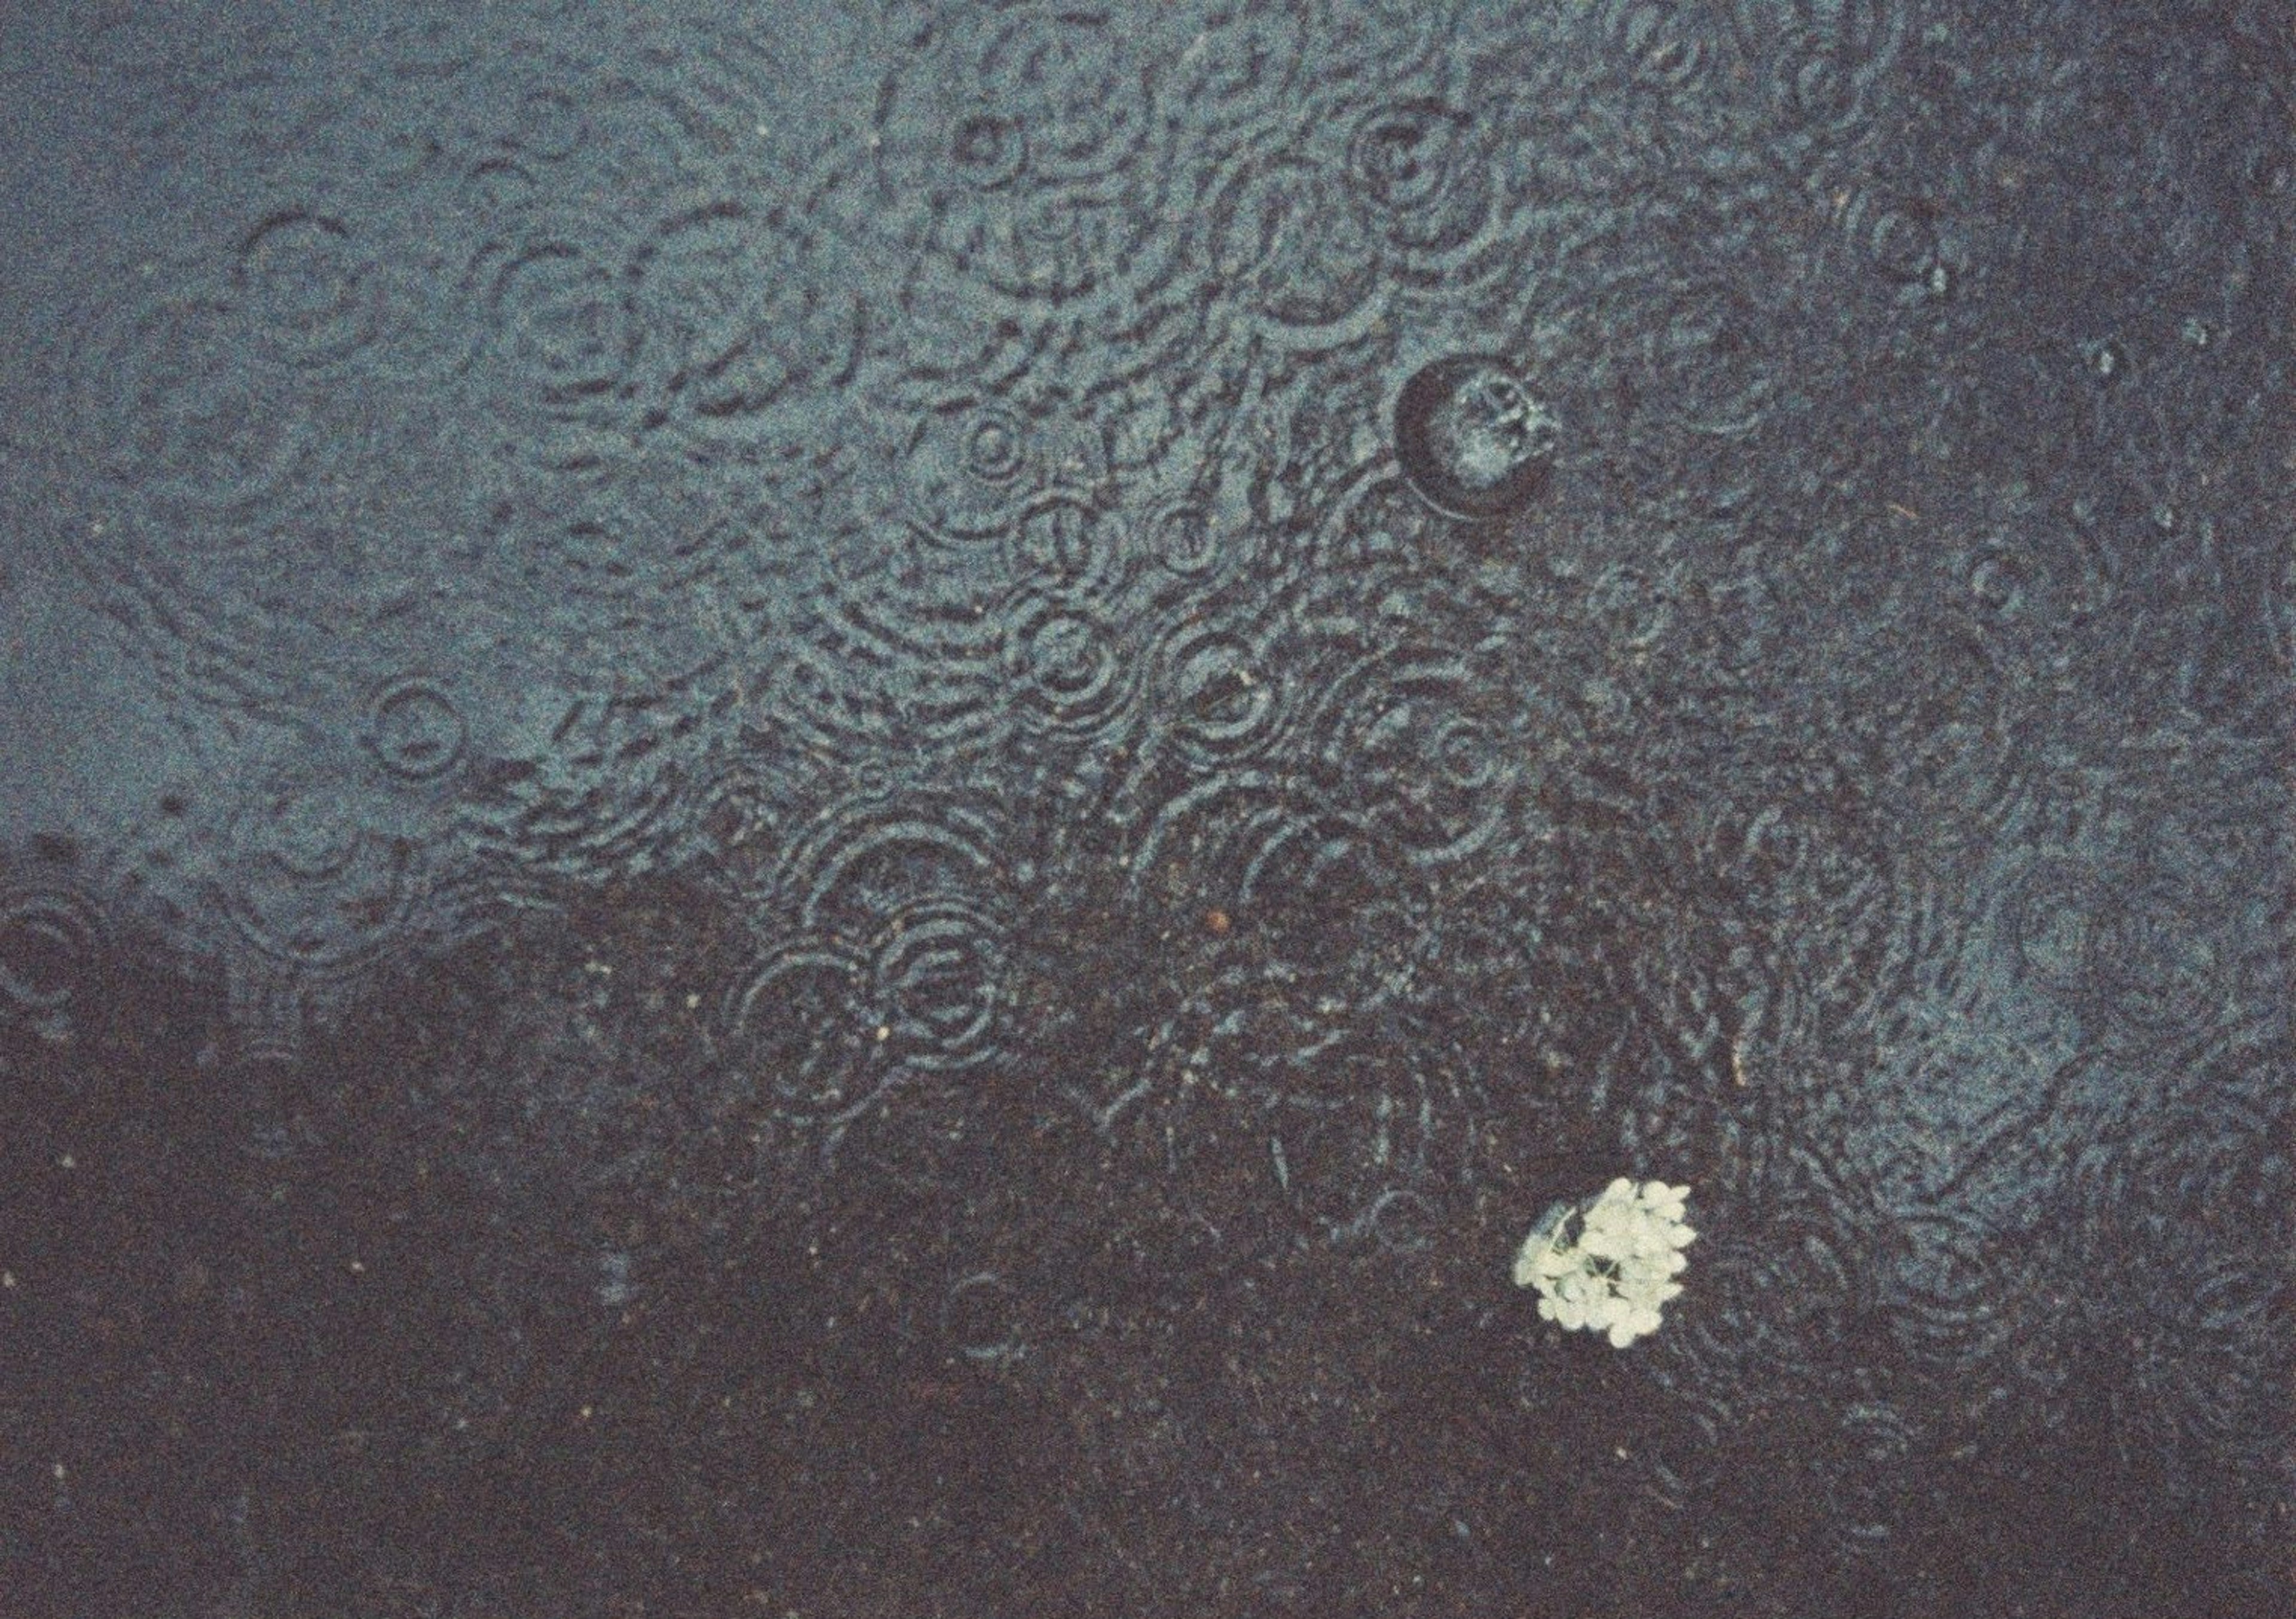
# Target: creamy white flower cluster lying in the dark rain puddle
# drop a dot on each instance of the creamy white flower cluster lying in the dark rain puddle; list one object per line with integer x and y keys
{"x": 1611, "y": 1262}
